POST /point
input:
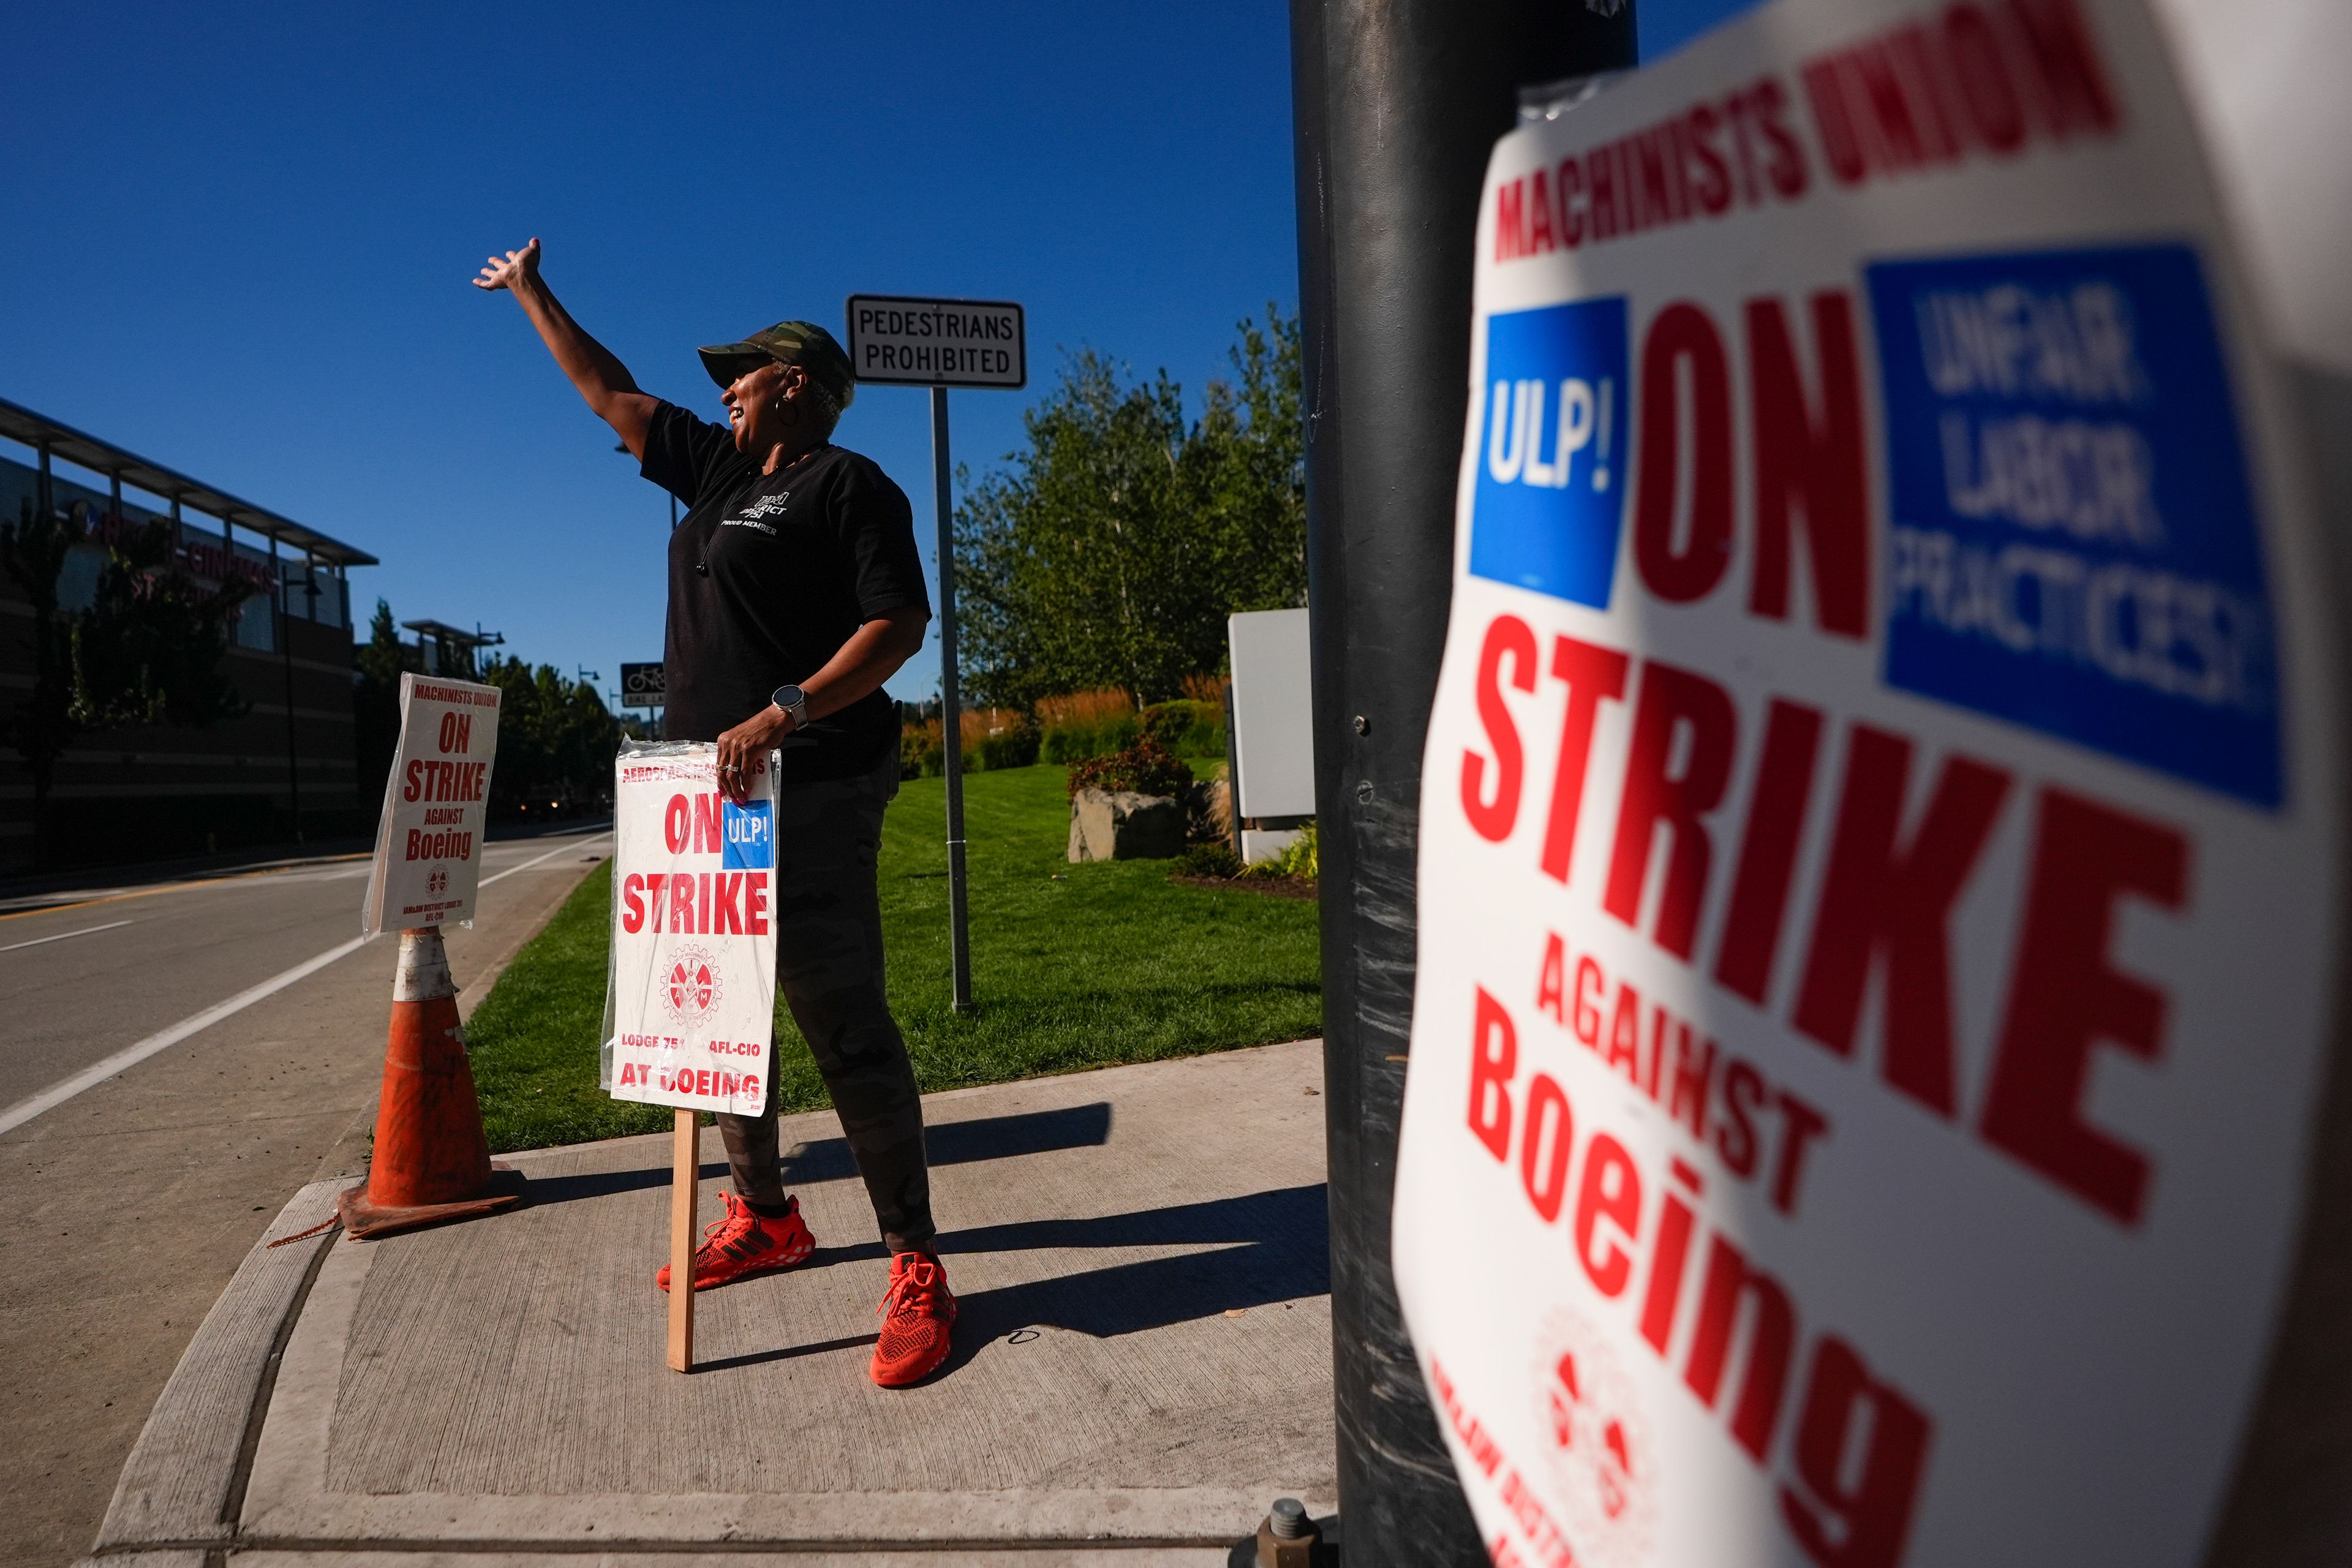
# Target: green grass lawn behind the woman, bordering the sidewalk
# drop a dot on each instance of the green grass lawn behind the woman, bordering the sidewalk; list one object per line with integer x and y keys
{"x": 1071, "y": 967}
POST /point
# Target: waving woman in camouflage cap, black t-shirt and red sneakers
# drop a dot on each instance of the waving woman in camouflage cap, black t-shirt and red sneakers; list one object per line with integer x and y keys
{"x": 796, "y": 591}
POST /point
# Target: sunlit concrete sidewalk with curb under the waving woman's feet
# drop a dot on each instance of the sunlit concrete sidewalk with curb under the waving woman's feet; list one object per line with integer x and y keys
{"x": 1144, "y": 1358}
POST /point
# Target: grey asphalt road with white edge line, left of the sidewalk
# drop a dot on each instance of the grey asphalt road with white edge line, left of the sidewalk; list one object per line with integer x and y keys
{"x": 147, "y": 1139}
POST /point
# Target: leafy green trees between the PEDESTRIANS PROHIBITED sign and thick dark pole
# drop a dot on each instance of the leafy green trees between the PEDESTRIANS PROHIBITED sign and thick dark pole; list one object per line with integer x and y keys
{"x": 1116, "y": 547}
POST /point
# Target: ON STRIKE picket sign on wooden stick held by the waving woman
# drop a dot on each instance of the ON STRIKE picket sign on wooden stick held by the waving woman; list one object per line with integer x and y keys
{"x": 690, "y": 1007}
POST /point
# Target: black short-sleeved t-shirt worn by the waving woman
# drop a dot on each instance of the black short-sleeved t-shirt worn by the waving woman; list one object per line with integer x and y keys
{"x": 770, "y": 575}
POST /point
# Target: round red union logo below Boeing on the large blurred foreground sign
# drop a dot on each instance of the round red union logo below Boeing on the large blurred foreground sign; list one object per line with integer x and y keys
{"x": 1601, "y": 1456}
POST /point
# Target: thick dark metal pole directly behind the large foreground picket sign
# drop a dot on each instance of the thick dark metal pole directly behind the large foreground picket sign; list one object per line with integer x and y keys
{"x": 1398, "y": 105}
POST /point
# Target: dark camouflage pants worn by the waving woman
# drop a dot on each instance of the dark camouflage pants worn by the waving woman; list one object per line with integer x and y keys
{"x": 829, "y": 965}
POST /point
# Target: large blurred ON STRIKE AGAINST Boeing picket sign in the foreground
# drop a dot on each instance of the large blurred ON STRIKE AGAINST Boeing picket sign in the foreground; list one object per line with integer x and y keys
{"x": 1880, "y": 831}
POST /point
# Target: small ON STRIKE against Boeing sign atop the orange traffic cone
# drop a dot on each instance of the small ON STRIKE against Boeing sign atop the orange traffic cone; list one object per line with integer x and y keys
{"x": 429, "y": 840}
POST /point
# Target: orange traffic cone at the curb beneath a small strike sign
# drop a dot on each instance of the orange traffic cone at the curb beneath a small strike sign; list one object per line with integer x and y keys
{"x": 432, "y": 1155}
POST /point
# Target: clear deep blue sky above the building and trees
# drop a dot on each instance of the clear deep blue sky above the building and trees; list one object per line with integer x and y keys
{"x": 241, "y": 246}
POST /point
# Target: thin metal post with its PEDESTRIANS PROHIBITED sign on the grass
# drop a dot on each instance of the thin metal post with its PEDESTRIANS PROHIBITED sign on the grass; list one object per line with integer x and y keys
{"x": 940, "y": 344}
